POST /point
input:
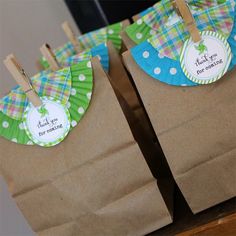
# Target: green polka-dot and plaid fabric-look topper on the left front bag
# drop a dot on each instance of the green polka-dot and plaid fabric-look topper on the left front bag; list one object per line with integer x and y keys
{"x": 72, "y": 86}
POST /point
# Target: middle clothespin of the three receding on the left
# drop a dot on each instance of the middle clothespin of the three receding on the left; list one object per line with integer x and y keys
{"x": 50, "y": 57}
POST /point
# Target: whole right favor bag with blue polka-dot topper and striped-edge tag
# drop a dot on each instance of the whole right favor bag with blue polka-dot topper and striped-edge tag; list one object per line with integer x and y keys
{"x": 195, "y": 123}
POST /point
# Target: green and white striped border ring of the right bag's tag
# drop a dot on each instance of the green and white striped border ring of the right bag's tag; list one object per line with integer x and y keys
{"x": 211, "y": 80}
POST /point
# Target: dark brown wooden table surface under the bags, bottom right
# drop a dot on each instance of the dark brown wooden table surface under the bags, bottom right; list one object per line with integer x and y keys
{"x": 219, "y": 220}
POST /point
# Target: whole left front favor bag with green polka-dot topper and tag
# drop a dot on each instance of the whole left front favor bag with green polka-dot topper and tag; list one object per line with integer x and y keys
{"x": 95, "y": 181}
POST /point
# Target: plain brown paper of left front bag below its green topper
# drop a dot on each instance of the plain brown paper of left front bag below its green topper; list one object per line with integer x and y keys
{"x": 96, "y": 182}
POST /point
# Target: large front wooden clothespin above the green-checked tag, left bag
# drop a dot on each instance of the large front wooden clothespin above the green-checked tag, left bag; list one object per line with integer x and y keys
{"x": 22, "y": 79}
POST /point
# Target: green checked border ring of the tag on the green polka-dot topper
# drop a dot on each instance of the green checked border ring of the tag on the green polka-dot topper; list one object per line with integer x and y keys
{"x": 36, "y": 141}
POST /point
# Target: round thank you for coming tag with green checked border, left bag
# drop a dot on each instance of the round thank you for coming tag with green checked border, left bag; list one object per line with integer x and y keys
{"x": 48, "y": 124}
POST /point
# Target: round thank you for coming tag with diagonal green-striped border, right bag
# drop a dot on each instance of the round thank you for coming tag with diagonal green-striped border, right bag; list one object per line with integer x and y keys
{"x": 206, "y": 61}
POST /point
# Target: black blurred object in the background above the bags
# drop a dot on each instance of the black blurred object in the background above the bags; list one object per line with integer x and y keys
{"x": 93, "y": 14}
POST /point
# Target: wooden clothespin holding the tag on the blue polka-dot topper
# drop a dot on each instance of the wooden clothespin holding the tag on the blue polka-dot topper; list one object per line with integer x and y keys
{"x": 184, "y": 11}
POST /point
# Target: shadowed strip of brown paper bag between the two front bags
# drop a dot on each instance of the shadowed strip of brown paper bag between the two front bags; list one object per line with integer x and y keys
{"x": 140, "y": 125}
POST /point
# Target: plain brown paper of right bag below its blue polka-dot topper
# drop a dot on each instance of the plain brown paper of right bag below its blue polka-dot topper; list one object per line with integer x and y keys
{"x": 197, "y": 131}
